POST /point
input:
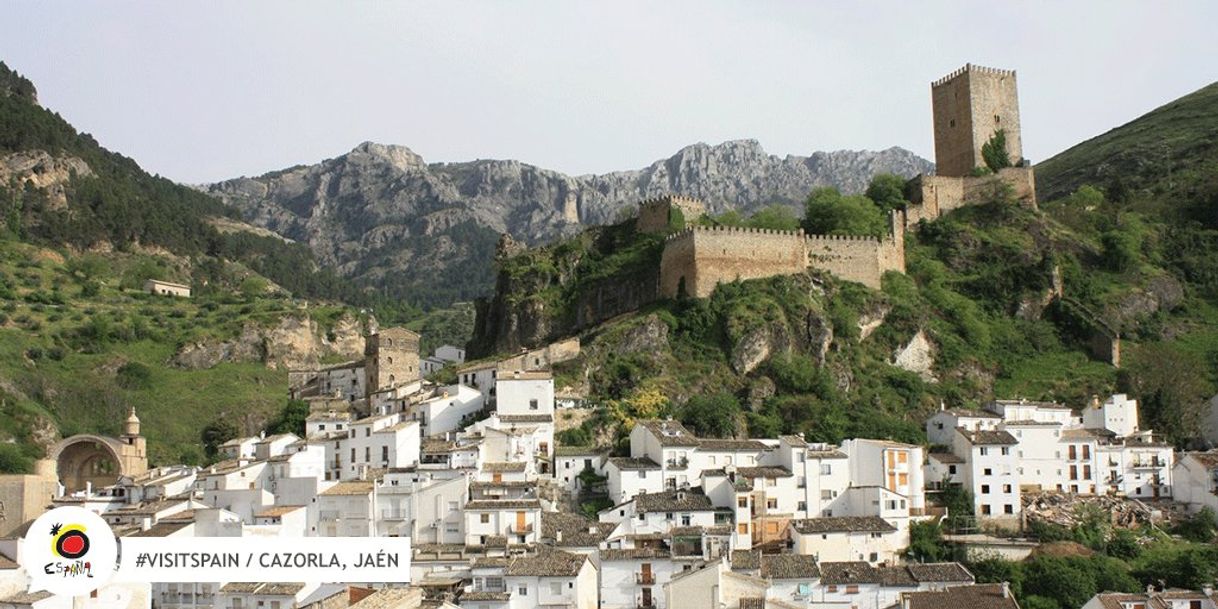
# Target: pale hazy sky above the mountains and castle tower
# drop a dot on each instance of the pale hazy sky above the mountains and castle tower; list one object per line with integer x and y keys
{"x": 202, "y": 92}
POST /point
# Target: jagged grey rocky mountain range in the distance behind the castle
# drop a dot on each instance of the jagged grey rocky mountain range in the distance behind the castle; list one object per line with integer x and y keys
{"x": 382, "y": 215}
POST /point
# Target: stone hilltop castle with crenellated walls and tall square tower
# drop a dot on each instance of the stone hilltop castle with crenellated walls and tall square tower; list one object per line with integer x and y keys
{"x": 970, "y": 107}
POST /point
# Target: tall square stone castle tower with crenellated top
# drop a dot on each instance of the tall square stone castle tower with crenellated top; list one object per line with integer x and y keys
{"x": 970, "y": 105}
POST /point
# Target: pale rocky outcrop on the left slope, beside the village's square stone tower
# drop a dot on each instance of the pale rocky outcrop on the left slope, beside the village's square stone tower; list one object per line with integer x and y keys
{"x": 293, "y": 343}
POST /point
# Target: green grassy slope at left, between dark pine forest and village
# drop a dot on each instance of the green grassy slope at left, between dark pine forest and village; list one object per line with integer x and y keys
{"x": 62, "y": 351}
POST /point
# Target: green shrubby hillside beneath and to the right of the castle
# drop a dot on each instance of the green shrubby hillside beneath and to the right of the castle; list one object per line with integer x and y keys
{"x": 1128, "y": 226}
